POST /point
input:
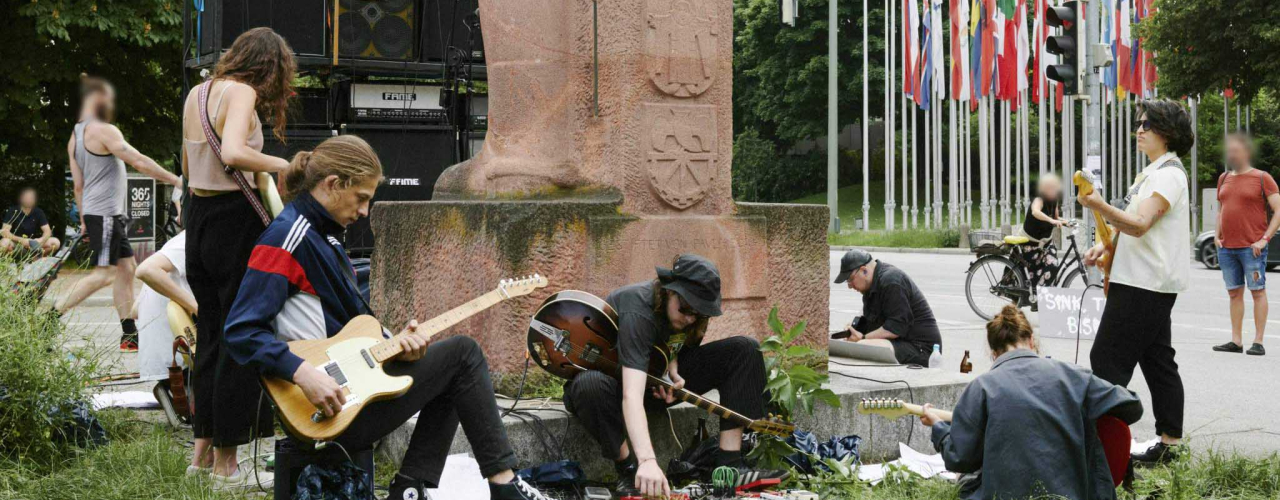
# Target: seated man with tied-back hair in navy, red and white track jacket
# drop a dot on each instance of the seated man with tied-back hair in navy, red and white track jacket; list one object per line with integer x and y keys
{"x": 301, "y": 286}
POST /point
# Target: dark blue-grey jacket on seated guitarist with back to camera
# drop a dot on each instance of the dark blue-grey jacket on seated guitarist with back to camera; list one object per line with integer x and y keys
{"x": 1031, "y": 426}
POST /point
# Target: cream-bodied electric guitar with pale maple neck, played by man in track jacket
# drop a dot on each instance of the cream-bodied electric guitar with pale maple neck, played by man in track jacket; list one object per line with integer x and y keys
{"x": 355, "y": 359}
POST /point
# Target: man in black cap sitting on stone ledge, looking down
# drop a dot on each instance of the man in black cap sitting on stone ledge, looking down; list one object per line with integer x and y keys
{"x": 895, "y": 313}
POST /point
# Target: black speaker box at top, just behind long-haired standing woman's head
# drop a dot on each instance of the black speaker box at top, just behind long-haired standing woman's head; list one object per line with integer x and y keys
{"x": 304, "y": 24}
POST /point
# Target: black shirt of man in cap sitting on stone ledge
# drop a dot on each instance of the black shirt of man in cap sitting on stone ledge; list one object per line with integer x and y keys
{"x": 897, "y": 305}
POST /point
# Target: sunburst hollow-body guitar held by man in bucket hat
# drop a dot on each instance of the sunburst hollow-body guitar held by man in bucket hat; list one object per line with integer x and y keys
{"x": 575, "y": 332}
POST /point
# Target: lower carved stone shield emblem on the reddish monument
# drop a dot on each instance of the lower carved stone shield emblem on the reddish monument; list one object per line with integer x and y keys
{"x": 680, "y": 152}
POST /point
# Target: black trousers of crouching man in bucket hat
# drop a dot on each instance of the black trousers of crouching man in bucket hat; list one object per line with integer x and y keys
{"x": 734, "y": 366}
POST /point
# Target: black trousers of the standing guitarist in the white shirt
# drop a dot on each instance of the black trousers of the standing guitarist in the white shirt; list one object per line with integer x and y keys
{"x": 1136, "y": 332}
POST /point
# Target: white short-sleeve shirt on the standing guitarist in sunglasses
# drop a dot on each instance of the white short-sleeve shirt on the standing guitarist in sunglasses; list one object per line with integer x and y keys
{"x": 1162, "y": 260}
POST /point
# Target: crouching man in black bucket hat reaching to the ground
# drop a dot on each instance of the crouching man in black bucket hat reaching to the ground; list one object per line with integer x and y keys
{"x": 674, "y": 311}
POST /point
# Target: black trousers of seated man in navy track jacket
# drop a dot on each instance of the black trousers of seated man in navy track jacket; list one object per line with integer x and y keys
{"x": 451, "y": 386}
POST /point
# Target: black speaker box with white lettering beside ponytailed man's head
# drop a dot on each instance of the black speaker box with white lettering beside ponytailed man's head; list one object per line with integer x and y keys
{"x": 413, "y": 158}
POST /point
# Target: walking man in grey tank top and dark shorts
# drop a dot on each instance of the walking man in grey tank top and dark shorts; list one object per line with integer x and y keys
{"x": 98, "y": 154}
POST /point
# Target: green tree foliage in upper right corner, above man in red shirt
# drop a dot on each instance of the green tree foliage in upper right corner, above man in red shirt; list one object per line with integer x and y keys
{"x": 1209, "y": 45}
